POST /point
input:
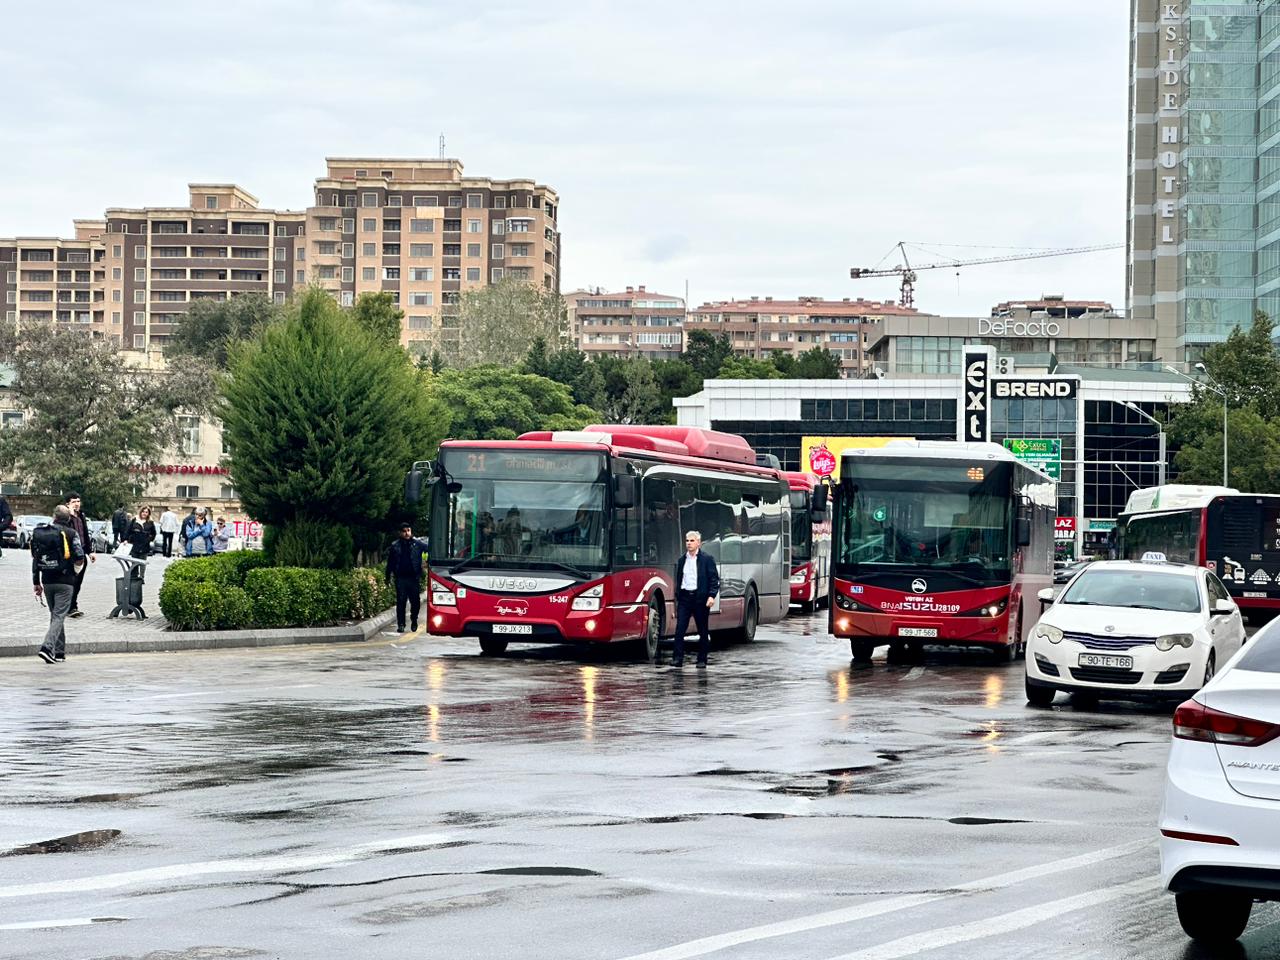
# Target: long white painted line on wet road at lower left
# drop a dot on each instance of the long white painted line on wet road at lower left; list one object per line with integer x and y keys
{"x": 250, "y": 865}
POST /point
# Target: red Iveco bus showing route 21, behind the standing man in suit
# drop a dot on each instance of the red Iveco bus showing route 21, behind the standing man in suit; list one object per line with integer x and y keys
{"x": 574, "y": 537}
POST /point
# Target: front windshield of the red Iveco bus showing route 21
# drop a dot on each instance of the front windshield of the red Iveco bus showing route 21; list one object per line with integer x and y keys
{"x": 524, "y": 509}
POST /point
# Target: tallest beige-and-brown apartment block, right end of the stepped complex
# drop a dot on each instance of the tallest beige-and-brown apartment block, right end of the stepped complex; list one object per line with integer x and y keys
{"x": 426, "y": 234}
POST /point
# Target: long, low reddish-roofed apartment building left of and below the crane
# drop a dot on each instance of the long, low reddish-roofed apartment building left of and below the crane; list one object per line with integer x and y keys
{"x": 762, "y": 327}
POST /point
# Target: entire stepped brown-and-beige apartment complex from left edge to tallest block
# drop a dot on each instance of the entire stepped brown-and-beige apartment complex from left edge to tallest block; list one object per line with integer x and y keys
{"x": 418, "y": 230}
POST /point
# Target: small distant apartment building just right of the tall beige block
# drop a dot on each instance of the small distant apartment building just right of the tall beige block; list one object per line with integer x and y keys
{"x": 636, "y": 323}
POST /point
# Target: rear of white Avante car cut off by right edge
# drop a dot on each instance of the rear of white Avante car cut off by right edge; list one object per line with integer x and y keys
{"x": 1220, "y": 822}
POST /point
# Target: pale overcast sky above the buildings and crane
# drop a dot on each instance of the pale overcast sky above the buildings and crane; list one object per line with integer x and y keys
{"x": 744, "y": 148}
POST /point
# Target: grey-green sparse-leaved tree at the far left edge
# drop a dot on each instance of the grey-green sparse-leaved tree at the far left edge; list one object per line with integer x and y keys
{"x": 93, "y": 422}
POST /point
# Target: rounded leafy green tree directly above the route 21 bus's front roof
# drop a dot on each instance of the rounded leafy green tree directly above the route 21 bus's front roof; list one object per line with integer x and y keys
{"x": 499, "y": 404}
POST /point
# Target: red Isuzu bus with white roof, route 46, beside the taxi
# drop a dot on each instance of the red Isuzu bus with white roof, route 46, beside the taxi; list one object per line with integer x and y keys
{"x": 940, "y": 543}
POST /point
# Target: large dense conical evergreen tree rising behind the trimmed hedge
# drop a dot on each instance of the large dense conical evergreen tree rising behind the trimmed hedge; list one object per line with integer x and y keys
{"x": 323, "y": 418}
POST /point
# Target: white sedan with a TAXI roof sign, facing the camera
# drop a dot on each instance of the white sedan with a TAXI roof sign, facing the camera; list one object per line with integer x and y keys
{"x": 1131, "y": 630}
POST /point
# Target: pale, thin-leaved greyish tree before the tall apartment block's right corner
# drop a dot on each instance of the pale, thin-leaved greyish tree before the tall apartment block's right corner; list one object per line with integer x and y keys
{"x": 500, "y": 322}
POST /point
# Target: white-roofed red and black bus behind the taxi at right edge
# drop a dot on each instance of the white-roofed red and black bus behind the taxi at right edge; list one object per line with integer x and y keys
{"x": 1235, "y": 534}
